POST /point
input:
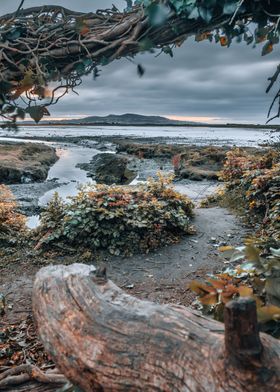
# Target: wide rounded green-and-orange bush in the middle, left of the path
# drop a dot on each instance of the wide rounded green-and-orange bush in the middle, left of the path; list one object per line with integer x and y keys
{"x": 120, "y": 219}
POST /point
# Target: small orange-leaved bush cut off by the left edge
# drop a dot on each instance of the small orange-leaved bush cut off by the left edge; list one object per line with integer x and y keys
{"x": 11, "y": 222}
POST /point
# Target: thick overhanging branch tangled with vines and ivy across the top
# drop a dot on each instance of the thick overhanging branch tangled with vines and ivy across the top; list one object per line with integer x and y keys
{"x": 47, "y": 44}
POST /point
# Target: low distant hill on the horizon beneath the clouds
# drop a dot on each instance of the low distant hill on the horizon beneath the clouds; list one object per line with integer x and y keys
{"x": 127, "y": 119}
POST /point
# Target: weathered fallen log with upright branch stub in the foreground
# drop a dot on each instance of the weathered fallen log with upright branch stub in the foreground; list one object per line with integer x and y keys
{"x": 103, "y": 339}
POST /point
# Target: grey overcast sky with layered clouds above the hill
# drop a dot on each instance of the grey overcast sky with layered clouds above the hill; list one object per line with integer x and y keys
{"x": 201, "y": 80}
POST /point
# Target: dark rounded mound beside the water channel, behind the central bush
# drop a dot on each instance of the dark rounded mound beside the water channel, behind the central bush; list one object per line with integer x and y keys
{"x": 109, "y": 169}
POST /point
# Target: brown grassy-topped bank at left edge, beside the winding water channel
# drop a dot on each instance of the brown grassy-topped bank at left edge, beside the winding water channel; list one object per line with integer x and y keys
{"x": 25, "y": 162}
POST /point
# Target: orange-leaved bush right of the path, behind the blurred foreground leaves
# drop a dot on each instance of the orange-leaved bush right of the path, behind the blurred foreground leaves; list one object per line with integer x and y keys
{"x": 255, "y": 181}
